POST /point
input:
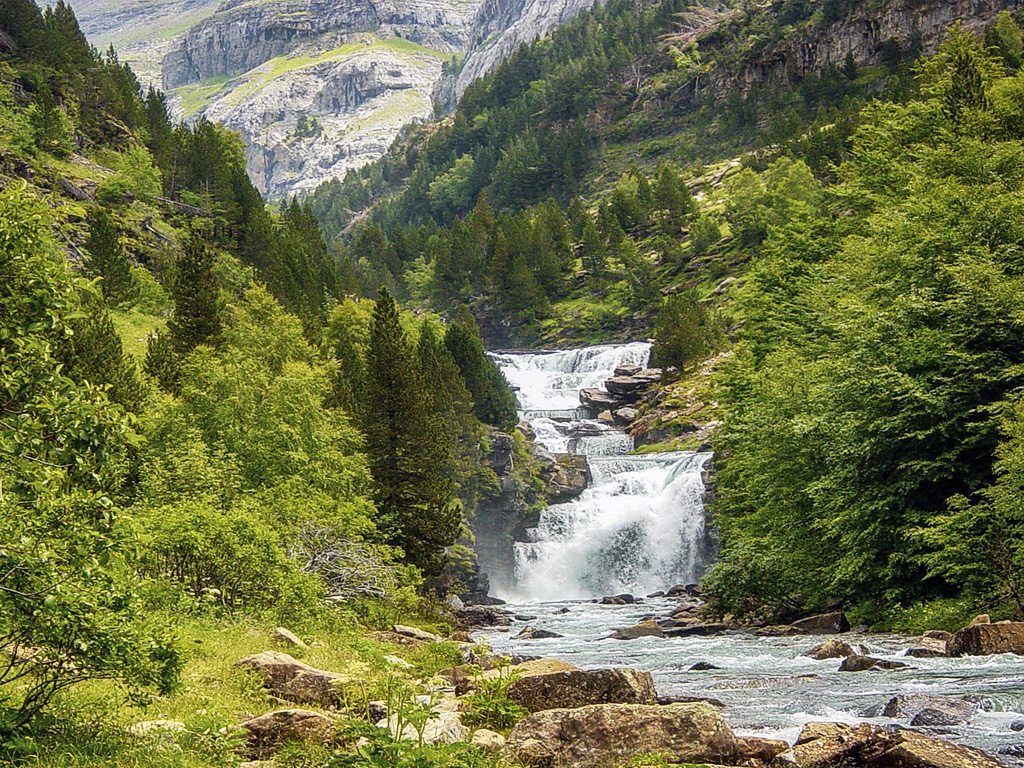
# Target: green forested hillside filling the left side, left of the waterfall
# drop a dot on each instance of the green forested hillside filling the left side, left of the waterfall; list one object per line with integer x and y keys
{"x": 203, "y": 435}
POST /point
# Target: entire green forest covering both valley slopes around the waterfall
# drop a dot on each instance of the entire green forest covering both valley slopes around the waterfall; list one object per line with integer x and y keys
{"x": 220, "y": 416}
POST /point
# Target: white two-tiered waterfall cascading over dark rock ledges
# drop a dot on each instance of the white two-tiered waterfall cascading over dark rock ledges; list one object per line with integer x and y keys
{"x": 641, "y": 526}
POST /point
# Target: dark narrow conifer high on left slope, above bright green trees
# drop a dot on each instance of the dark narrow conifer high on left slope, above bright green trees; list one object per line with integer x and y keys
{"x": 197, "y": 300}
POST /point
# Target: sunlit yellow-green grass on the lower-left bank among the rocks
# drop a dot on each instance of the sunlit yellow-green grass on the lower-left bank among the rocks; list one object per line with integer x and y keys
{"x": 90, "y": 724}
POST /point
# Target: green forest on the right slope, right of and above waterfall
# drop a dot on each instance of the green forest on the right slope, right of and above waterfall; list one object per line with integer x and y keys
{"x": 870, "y": 396}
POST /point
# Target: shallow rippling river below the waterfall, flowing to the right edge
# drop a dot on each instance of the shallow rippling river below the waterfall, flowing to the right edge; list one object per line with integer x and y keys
{"x": 771, "y": 690}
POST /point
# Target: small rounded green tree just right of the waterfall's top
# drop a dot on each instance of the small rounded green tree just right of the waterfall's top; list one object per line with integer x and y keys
{"x": 686, "y": 332}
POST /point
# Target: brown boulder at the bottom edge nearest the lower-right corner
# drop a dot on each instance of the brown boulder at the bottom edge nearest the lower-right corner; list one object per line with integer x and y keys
{"x": 830, "y": 745}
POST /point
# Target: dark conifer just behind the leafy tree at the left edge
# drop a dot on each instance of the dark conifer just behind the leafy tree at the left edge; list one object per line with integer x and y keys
{"x": 96, "y": 355}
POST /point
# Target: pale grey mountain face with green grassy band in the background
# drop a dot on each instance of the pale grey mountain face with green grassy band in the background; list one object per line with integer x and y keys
{"x": 316, "y": 88}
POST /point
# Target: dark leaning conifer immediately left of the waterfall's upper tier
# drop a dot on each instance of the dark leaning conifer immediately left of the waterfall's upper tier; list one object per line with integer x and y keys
{"x": 494, "y": 402}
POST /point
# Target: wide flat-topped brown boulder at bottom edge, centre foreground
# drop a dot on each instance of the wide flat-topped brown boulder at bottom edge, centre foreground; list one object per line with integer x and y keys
{"x": 613, "y": 735}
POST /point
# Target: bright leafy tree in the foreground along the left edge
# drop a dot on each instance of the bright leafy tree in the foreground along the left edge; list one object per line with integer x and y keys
{"x": 65, "y": 588}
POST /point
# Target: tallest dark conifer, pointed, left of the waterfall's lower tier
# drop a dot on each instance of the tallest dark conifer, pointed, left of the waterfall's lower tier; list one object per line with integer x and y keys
{"x": 407, "y": 451}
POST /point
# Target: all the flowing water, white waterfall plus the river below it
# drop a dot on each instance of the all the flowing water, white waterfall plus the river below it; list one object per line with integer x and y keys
{"x": 641, "y": 528}
